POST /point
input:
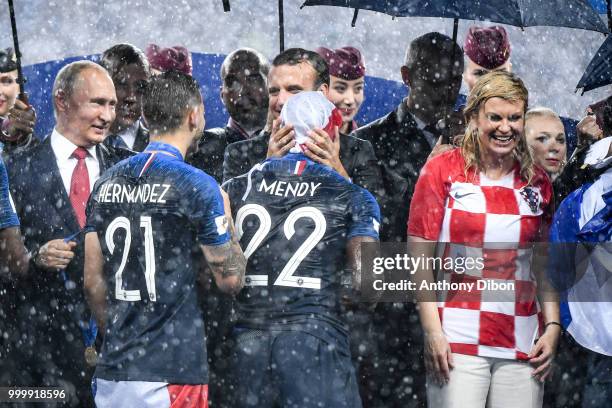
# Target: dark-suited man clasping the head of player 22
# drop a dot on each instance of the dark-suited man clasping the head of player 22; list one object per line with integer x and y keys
{"x": 293, "y": 71}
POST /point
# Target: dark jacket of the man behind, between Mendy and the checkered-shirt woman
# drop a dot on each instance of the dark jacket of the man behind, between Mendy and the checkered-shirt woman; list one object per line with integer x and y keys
{"x": 401, "y": 150}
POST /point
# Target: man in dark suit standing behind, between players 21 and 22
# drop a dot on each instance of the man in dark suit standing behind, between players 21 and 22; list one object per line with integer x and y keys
{"x": 244, "y": 92}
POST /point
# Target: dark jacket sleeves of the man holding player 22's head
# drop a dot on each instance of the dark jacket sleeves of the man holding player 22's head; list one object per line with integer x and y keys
{"x": 356, "y": 155}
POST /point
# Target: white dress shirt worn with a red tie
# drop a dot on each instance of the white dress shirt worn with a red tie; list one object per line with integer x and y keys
{"x": 63, "y": 149}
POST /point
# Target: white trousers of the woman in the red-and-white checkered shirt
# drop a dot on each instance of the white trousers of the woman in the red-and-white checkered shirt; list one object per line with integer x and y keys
{"x": 477, "y": 382}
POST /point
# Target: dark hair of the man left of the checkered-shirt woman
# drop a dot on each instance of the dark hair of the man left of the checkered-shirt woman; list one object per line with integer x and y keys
{"x": 429, "y": 49}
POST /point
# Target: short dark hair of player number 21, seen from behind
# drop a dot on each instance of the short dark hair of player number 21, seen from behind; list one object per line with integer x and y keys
{"x": 167, "y": 99}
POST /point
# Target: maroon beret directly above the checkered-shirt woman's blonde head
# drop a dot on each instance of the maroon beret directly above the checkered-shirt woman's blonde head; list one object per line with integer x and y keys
{"x": 488, "y": 47}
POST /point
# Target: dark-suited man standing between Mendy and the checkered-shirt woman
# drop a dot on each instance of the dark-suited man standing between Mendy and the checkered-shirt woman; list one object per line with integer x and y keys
{"x": 402, "y": 141}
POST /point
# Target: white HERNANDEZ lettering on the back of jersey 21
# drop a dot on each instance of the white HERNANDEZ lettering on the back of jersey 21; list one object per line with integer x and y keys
{"x": 143, "y": 193}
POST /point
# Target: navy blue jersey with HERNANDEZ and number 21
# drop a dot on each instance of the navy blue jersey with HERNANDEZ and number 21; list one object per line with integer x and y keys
{"x": 150, "y": 212}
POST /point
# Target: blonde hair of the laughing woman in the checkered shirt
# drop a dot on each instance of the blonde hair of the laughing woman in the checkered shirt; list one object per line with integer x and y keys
{"x": 495, "y": 84}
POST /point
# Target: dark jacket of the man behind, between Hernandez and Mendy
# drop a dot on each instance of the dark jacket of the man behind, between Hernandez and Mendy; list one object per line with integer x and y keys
{"x": 211, "y": 148}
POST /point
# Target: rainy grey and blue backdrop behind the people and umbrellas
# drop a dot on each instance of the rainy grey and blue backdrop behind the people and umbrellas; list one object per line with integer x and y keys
{"x": 550, "y": 60}
